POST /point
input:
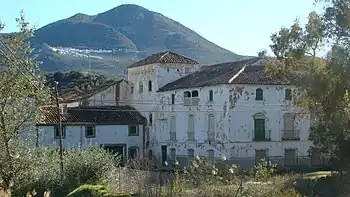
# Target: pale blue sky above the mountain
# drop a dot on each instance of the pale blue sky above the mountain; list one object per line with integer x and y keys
{"x": 243, "y": 26}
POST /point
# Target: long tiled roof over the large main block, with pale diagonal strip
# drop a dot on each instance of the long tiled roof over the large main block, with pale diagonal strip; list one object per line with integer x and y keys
{"x": 238, "y": 72}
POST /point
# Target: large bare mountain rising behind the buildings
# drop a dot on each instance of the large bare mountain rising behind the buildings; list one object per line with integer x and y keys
{"x": 108, "y": 42}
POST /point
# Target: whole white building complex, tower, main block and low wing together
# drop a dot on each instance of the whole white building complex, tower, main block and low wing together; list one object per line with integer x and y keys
{"x": 170, "y": 108}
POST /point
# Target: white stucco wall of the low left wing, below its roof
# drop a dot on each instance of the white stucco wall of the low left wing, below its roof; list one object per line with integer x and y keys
{"x": 105, "y": 134}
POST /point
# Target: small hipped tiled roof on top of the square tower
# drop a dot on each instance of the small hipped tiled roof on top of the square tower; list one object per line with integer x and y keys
{"x": 164, "y": 57}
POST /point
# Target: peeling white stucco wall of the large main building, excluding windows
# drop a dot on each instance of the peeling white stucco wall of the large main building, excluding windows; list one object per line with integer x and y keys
{"x": 234, "y": 123}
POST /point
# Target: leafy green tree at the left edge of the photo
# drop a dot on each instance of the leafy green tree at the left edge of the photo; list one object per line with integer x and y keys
{"x": 22, "y": 90}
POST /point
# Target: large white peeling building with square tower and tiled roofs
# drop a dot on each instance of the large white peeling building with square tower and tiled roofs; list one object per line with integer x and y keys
{"x": 233, "y": 110}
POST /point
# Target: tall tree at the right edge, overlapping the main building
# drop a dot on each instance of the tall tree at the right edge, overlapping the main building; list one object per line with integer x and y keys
{"x": 322, "y": 83}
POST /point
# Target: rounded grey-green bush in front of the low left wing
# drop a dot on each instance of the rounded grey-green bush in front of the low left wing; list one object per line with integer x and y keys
{"x": 81, "y": 166}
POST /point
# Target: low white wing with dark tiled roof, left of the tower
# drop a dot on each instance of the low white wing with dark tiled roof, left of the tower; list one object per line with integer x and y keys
{"x": 118, "y": 128}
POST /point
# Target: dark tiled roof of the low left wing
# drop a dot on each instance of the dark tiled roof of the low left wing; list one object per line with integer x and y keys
{"x": 114, "y": 115}
